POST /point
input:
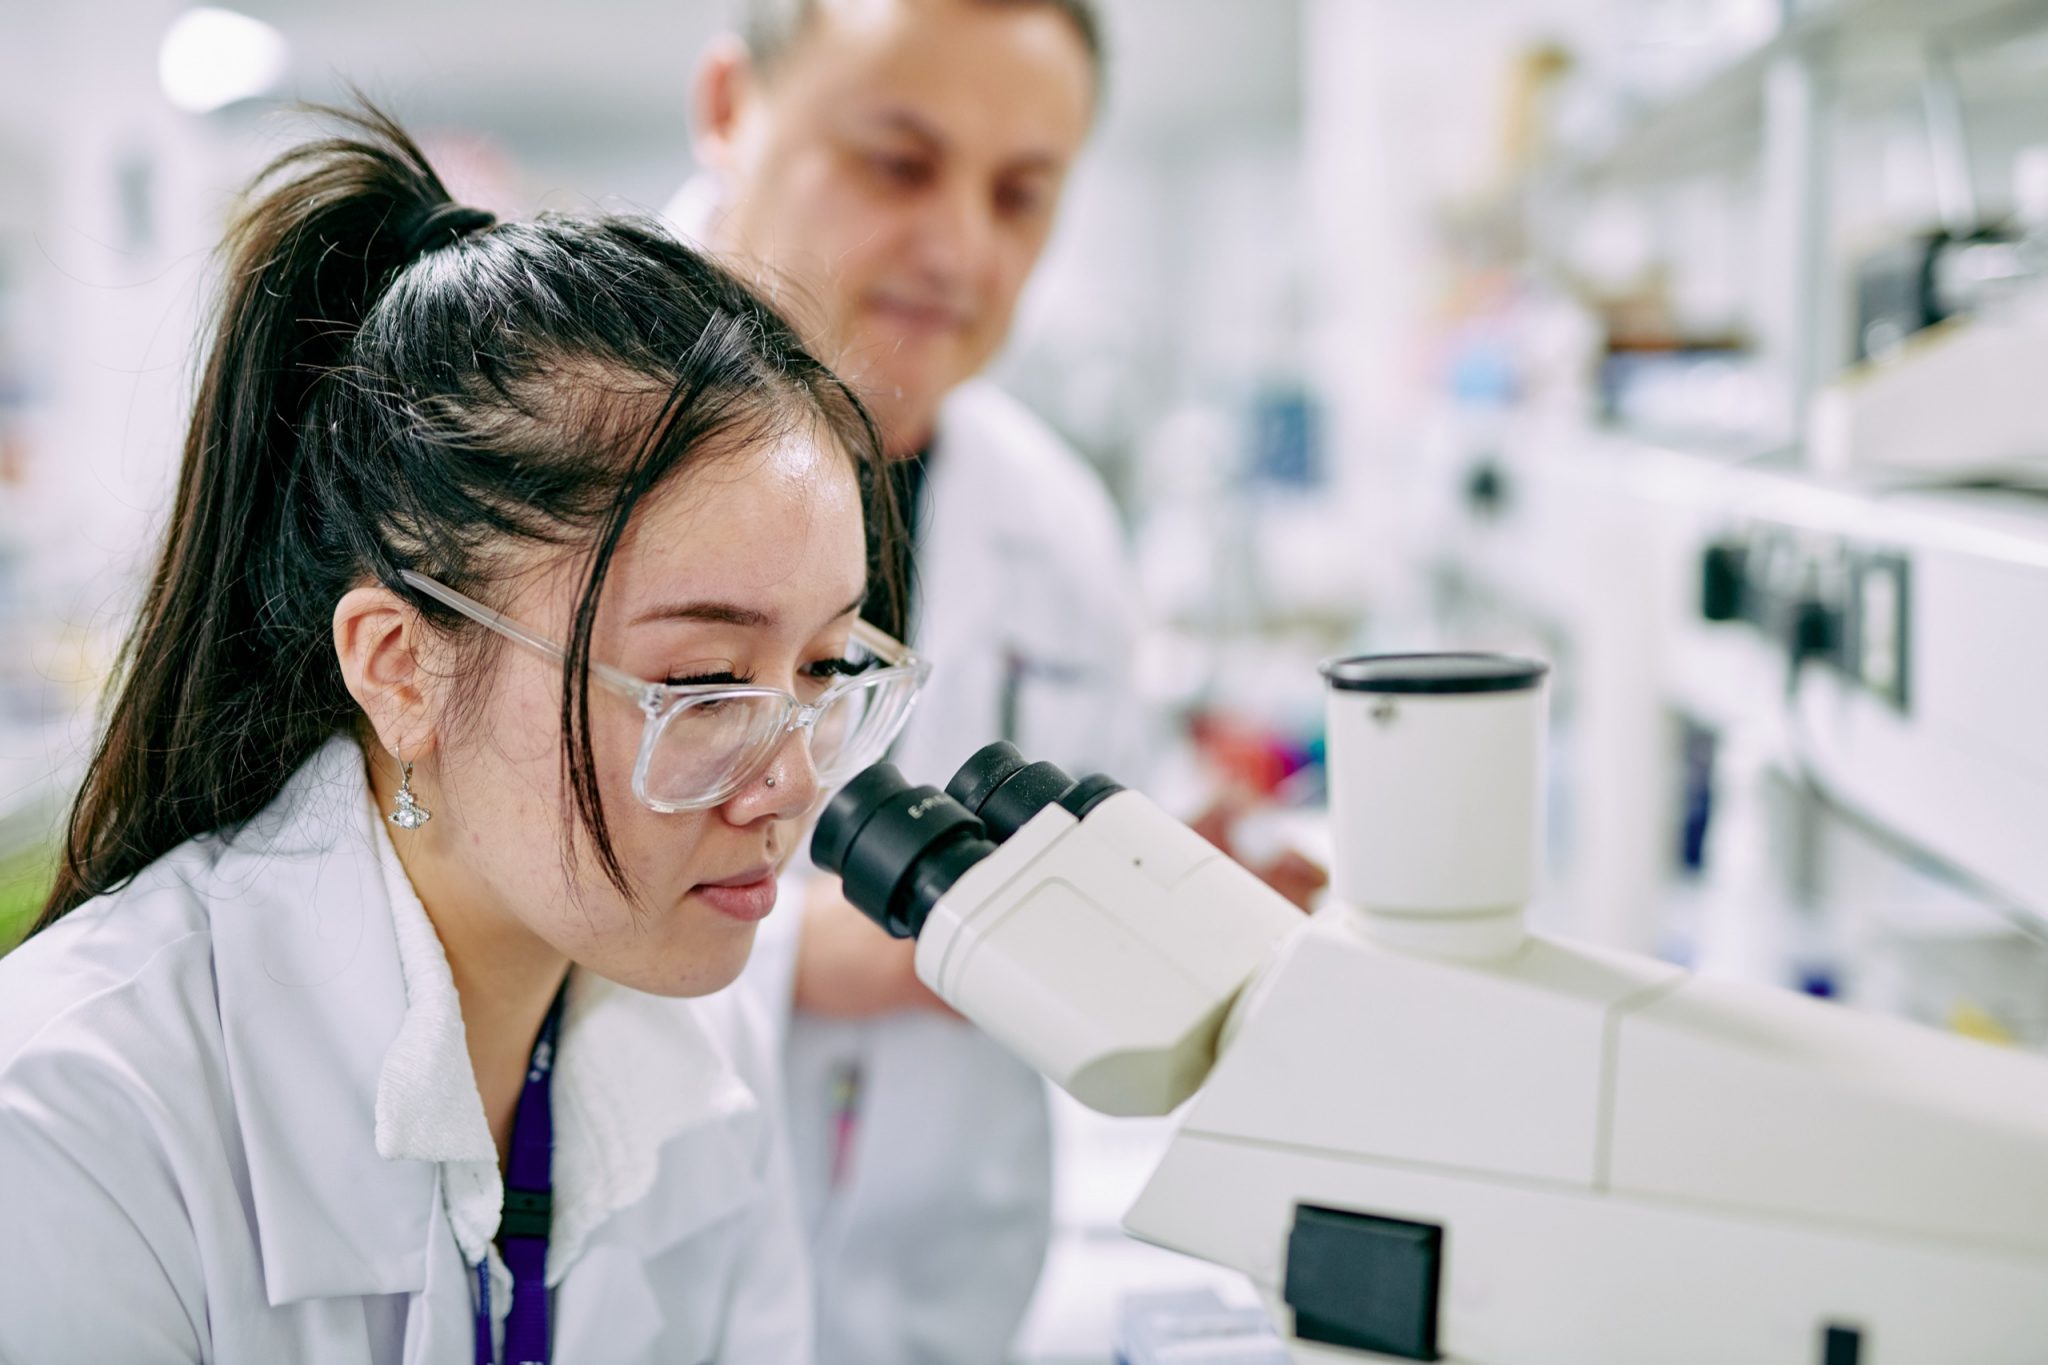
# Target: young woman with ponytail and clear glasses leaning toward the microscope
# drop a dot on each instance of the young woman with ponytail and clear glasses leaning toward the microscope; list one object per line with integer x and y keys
{"x": 505, "y": 631}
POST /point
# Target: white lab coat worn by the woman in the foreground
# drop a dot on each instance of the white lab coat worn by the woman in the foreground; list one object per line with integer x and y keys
{"x": 189, "y": 1172}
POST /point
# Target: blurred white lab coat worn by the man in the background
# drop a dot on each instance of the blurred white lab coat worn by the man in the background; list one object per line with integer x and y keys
{"x": 929, "y": 1247}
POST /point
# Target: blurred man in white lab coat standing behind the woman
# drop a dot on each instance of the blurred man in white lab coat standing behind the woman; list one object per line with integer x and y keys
{"x": 890, "y": 171}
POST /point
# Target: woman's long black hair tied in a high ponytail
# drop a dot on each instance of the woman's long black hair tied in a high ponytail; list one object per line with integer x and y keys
{"x": 396, "y": 384}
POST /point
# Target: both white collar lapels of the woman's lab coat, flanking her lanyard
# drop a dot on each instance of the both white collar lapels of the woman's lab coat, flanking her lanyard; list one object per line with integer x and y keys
{"x": 314, "y": 1012}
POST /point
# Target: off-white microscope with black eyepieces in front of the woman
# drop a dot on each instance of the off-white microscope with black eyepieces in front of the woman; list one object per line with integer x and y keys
{"x": 1422, "y": 1131}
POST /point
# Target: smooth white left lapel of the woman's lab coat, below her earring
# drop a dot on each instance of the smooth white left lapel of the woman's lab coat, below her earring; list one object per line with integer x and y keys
{"x": 312, "y": 996}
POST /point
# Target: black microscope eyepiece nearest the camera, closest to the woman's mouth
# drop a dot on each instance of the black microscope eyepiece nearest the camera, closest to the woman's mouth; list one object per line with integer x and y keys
{"x": 896, "y": 846}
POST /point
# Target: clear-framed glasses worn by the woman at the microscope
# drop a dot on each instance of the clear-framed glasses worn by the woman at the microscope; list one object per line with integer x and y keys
{"x": 706, "y": 742}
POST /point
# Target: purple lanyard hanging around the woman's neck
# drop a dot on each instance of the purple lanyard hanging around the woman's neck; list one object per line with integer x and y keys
{"x": 529, "y": 1202}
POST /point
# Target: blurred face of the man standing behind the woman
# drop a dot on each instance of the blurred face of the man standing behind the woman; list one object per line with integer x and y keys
{"x": 900, "y": 169}
